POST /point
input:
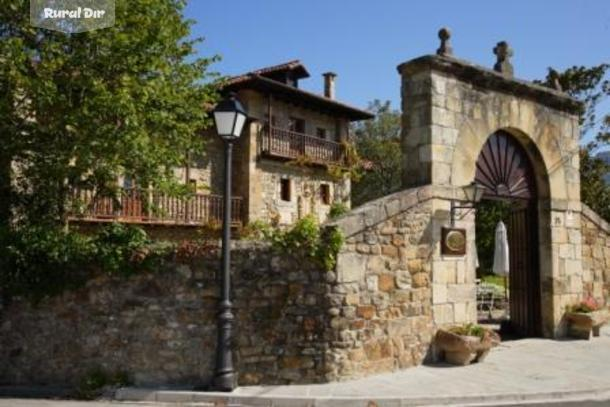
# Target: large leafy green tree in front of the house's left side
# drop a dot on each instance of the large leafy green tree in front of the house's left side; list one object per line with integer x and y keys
{"x": 79, "y": 109}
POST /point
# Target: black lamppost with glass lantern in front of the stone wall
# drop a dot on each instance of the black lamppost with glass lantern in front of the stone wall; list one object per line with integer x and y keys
{"x": 229, "y": 118}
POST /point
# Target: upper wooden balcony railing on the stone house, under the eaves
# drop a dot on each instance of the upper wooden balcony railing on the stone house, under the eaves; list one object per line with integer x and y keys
{"x": 281, "y": 143}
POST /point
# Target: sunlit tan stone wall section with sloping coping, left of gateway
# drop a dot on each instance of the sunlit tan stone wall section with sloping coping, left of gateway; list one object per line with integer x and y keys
{"x": 382, "y": 300}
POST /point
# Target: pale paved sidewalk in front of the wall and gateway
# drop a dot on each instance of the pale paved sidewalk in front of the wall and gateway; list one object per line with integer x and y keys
{"x": 520, "y": 371}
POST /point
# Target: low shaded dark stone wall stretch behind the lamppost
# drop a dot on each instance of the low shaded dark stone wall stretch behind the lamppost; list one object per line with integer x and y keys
{"x": 159, "y": 327}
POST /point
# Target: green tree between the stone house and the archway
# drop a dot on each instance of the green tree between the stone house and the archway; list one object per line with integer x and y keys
{"x": 378, "y": 144}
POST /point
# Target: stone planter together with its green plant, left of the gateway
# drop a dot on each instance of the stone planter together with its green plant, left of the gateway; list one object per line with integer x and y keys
{"x": 463, "y": 344}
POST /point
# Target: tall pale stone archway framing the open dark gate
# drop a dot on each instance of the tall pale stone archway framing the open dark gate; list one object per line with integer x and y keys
{"x": 450, "y": 108}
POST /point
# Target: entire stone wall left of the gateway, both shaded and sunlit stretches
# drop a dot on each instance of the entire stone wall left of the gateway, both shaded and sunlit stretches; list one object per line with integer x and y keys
{"x": 295, "y": 322}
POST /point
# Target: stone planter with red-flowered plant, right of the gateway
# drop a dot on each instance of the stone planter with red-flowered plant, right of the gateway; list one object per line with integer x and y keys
{"x": 584, "y": 318}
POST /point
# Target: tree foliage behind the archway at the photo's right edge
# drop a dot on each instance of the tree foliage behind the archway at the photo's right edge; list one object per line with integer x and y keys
{"x": 589, "y": 85}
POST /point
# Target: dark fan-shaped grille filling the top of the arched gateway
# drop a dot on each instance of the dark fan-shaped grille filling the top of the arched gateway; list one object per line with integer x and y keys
{"x": 504, "y": 168}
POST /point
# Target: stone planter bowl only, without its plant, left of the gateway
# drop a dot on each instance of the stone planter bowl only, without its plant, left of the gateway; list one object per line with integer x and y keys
{"x": 462, "y": 349}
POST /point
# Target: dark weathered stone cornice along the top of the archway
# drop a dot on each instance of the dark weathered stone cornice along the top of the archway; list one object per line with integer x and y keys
{"x": 489, "y": 79}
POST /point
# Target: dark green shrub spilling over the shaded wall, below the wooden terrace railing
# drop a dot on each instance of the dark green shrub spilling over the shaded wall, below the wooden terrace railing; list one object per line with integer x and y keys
{"x": 44, "y": 261}
